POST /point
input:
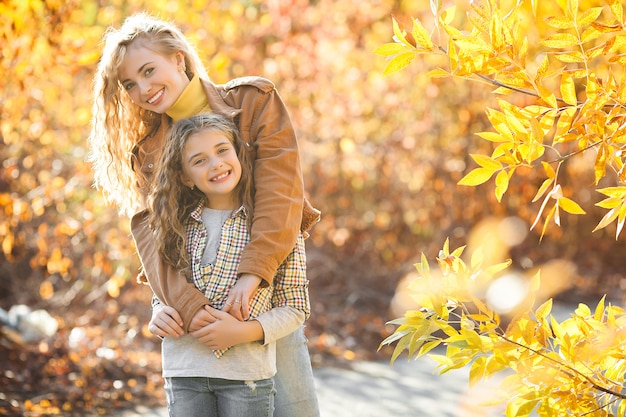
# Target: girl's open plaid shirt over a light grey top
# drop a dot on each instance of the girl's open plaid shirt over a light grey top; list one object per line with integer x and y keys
{"x": 290, "y": 285}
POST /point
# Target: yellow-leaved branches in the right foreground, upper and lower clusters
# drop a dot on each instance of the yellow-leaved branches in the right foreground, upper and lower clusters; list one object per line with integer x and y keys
{"x": 568, "y": 64}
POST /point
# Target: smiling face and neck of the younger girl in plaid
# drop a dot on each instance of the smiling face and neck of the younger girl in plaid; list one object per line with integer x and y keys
{"x": 211, "y": 164}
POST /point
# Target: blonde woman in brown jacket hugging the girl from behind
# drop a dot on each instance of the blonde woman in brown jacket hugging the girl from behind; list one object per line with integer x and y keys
{"x": 150, "y": 76}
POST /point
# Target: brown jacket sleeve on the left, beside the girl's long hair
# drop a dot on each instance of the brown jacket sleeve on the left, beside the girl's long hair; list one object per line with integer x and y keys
{"x": 167, "y": 284}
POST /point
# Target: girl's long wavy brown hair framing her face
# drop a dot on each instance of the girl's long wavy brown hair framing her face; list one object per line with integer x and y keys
{"x": 171, "y": 202}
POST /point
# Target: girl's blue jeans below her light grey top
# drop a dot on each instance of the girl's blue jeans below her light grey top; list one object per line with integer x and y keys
{"x": 214, "y": 397}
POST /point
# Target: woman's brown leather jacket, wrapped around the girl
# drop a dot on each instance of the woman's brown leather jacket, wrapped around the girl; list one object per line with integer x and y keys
{"x": 280, "y": 206}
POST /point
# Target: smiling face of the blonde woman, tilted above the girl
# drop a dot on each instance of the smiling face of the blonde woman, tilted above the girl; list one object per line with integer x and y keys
{"x": 153, "y": 81}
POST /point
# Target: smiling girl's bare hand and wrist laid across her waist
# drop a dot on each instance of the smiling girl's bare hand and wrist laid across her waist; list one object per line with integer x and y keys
{"x": 227, "y": 331}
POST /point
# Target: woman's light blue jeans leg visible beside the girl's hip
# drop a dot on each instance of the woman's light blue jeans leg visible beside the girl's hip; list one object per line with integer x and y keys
{"x": 295, "y": 386}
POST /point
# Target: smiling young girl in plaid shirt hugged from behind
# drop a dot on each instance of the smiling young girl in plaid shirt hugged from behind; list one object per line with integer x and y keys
{"x": 201, "y": 210}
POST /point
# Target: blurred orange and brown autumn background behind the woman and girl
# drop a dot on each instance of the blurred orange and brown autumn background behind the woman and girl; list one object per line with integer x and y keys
{"x": 381, "y": 159}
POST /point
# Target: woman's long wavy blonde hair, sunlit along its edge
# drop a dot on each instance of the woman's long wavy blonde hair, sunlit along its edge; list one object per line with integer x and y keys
{"x": 117, "y": 123}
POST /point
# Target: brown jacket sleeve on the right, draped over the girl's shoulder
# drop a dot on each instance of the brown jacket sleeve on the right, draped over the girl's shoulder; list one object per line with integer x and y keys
{"x": 279, "y": 197}
